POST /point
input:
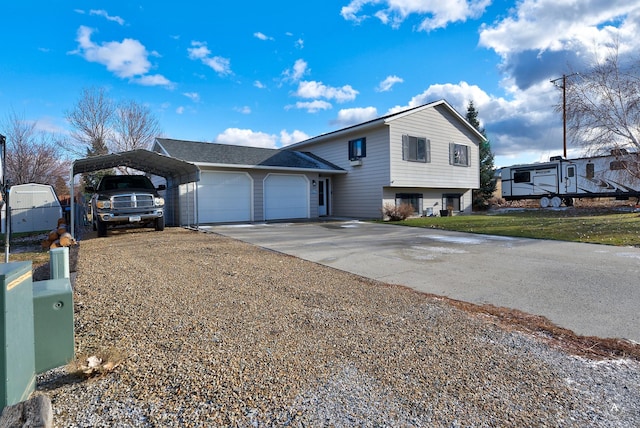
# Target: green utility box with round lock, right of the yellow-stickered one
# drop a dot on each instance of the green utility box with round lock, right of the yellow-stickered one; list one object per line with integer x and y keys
{"x": 53, "y": 323}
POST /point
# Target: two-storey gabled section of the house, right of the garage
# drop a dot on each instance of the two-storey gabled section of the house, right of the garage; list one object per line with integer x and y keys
{"x": 427, "y": 156}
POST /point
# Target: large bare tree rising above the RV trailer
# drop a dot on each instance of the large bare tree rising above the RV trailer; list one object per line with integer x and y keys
{"x": 603, "y": 104}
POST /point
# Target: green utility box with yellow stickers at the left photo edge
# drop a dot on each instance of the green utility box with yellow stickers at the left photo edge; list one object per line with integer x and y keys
{"x": 17, "y": 356}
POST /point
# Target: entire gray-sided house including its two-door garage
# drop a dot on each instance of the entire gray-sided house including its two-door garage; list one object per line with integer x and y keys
{"x": 426, "y": 156}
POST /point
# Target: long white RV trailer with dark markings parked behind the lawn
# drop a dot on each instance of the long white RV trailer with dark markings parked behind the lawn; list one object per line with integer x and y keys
{"x": 561, "y": 180}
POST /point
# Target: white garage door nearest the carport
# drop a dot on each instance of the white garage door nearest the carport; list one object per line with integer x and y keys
{"x": 224, "y": 197}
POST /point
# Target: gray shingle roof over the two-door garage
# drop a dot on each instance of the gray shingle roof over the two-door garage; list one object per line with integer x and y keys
{"x": 226, "y": 154}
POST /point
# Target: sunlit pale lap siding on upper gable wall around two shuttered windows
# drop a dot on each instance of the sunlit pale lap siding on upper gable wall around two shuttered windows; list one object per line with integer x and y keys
{"x": 440, "y": 127}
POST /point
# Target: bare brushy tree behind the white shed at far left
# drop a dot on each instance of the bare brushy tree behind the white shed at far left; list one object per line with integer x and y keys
{"x": 32, "y": 156}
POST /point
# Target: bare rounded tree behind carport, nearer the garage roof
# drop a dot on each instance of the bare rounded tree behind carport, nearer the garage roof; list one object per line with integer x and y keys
{"x": 135, "y": 127}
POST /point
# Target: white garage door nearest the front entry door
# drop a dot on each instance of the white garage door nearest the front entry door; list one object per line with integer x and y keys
{"x": 286, "y": 196}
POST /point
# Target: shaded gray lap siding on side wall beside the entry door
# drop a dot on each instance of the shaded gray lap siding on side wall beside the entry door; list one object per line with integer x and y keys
{"x": 359, "y": 192}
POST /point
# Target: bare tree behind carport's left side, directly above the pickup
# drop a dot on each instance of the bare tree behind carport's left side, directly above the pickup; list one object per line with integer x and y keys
{"x": 91, "y": 120}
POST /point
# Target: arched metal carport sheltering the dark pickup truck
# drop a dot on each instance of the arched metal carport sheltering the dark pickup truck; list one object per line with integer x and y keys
{"x": 175, "y": 171}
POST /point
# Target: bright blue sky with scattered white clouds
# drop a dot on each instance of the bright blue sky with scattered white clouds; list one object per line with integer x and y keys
{"x": 273, "y": 73}
